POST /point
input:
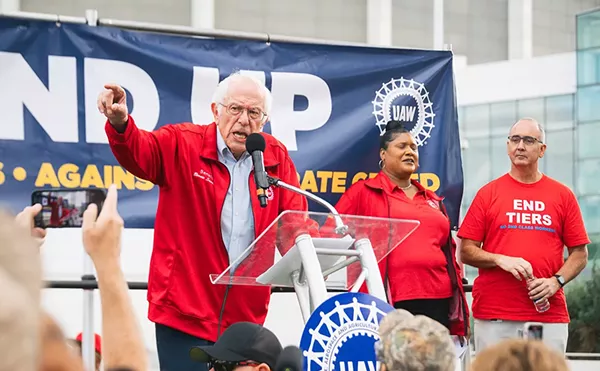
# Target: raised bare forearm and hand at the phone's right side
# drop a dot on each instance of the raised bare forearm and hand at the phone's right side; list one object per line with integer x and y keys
{"x": 123, "y": 346}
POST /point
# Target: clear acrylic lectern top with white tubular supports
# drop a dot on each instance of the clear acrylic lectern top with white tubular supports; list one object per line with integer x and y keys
{"x": 312, "y": 252}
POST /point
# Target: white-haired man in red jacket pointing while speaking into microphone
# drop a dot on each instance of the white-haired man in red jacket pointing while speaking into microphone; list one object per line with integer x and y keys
{"x": 207, "y": 214}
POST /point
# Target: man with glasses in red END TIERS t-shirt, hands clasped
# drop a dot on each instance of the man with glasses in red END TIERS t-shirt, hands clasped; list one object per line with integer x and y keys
{"x": 515, "y": 232}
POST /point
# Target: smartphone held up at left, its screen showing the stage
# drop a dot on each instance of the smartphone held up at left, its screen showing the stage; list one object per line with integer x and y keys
{"x": 63, "y": 208}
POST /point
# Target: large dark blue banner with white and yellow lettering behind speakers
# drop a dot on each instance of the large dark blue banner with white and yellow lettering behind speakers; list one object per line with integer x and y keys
{"x": 330, "y": 105}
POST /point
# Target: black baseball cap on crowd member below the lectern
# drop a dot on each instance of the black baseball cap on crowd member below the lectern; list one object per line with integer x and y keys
{"x": 242, "y": 341}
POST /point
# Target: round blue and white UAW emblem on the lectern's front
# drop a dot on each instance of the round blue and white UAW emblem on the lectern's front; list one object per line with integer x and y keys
{"x": 341, "y": 333}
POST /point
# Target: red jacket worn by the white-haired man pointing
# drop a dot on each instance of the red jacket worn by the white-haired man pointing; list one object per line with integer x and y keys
{"x": 188, "y": 247}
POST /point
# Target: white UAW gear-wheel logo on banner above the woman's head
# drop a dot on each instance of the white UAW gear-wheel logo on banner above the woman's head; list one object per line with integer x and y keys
{"x": 406, "y": 101}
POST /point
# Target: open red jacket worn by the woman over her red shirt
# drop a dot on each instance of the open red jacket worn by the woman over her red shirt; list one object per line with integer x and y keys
{"x": 368, "y": 199}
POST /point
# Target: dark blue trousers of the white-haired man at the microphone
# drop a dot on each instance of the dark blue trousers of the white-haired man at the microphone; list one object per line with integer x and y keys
{"x": 173, "y": 348}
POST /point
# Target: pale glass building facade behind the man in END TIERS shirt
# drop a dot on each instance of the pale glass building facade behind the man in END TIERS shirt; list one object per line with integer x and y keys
{"x": 572, "y": 124}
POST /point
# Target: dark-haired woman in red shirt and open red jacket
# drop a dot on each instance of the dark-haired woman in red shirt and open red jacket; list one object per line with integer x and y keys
{"x": 421, "y": 274}
